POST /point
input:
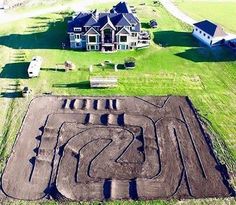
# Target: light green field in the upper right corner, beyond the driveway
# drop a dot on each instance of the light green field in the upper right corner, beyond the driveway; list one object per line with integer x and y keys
{"x": 221, "y": 12}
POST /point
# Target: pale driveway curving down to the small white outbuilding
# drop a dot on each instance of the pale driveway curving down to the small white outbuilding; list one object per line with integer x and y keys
{"x": 176, "y": 12}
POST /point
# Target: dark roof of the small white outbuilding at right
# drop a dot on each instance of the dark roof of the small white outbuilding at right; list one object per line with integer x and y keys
{"x": 210, "y": 28}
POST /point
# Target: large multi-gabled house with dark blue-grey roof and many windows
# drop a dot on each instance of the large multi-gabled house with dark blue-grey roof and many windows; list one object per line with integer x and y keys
{"x": 118, "y": 29}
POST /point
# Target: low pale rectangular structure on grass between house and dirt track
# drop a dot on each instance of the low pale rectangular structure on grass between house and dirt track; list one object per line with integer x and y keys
{"x": 103, "y": 82}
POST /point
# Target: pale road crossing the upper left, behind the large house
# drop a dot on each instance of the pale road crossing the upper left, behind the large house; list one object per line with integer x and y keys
{"x": 7, "y": 18}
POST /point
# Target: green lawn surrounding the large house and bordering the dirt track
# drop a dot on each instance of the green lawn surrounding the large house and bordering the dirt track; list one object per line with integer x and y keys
{"x": 174, "y": 64}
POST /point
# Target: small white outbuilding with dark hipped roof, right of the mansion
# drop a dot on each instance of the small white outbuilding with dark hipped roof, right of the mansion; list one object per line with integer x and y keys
{"x": 209, "y": 33}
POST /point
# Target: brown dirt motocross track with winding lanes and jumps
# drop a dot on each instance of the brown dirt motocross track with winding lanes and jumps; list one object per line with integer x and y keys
{"x": 99, "y": 148}
